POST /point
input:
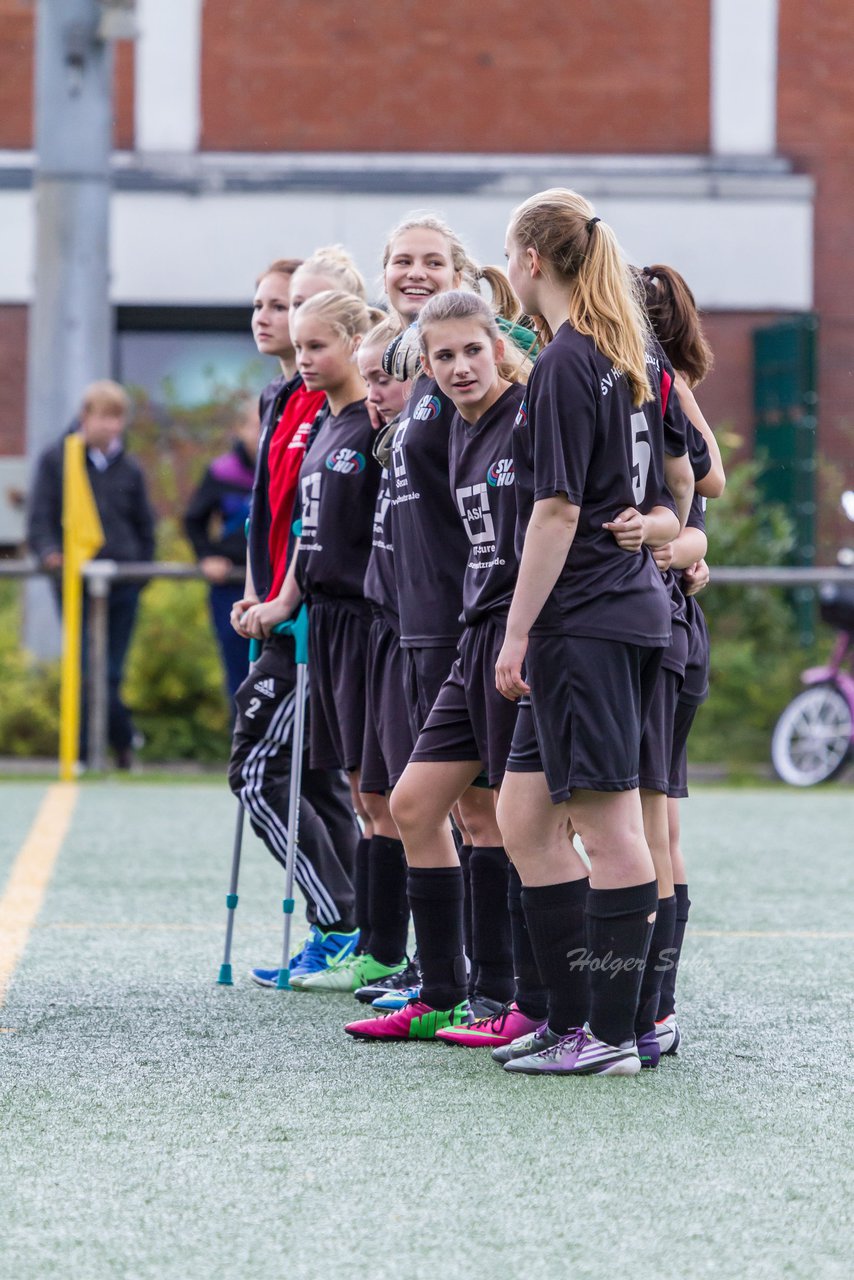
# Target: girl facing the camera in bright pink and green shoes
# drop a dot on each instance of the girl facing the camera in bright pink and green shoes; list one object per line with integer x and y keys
{"x": 469, "y": 730}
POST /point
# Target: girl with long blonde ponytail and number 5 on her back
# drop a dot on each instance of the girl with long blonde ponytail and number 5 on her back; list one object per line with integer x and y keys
{"x": 590, "y": 623}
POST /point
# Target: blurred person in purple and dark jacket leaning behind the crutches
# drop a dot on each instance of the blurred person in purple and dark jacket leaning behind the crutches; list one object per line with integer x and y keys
{"x": 216, "y": 524}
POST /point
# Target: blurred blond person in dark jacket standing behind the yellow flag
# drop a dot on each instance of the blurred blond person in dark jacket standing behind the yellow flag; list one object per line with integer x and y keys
{"x": 120, "y": 490}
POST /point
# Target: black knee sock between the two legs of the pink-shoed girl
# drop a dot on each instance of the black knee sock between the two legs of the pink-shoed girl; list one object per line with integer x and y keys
{"x": 492, "y": 956}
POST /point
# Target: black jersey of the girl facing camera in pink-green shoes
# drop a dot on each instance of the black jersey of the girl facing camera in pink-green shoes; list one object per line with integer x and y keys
{"x": 483, "y": 487}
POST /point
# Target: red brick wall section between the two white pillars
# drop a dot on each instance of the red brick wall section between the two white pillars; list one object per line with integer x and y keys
{"x": 455, "y": 76}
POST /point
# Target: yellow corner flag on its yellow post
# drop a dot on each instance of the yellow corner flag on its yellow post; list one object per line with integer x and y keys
{"x": 83, "y": 538}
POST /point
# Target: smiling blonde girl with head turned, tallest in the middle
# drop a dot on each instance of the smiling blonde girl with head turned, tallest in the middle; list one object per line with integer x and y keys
{"x": 423, "y": 259}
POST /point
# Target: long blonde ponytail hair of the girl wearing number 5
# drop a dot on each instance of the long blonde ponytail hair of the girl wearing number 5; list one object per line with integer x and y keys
{"x": 583, "y": 252}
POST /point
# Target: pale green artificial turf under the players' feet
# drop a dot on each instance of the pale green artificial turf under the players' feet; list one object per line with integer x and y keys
{"x": 157, "y": 1126}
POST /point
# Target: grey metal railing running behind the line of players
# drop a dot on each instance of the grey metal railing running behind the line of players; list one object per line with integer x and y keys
{"x": 99, "y": 577}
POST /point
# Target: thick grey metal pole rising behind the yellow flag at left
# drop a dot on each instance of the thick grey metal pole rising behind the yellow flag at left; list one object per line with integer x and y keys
{"x": 70, "y": 318}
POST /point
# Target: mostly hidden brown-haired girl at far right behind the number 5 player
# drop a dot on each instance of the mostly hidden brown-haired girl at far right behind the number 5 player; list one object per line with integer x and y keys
{"x": 673, "y": 312}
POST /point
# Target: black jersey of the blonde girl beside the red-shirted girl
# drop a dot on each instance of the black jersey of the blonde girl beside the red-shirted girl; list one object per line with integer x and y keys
{"x": 339, "y": 483}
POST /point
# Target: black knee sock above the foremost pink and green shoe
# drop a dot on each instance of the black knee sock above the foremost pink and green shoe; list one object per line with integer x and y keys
{"x": 436, "y": 899}
